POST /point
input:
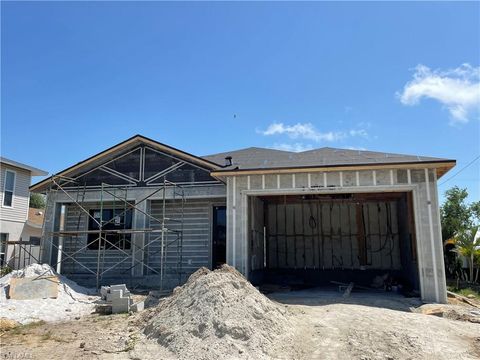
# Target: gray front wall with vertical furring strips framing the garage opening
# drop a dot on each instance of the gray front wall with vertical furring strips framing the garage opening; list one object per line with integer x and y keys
{"x": 422, "y": 183}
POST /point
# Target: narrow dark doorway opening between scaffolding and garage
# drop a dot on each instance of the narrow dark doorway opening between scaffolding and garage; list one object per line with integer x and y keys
{"x": 219, "y": 236}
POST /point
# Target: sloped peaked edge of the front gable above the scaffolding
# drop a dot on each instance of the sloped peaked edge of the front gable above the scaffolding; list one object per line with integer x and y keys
{"x": 124, "y": 145}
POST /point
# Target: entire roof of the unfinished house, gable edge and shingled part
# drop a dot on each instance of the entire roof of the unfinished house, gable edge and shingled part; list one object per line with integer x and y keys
{"x": 263, "y": 159}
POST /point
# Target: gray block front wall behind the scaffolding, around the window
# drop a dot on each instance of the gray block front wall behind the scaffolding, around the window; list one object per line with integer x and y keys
{"x": 196, "y": 242}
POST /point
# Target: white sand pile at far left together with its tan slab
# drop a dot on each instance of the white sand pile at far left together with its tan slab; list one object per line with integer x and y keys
{"x": 69, "y": 302}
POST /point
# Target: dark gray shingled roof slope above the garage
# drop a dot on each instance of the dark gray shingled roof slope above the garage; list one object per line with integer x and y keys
{"x": 261, "y": 158}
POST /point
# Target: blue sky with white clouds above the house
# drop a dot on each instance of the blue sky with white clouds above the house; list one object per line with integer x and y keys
{"x": 209, "y": 77}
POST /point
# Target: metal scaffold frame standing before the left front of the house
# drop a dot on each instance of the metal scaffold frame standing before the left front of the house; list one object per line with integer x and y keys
{"x": 115, "y": 197}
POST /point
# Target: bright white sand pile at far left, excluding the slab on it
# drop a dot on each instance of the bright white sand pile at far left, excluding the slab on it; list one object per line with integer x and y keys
{"x": 72, "y": 301}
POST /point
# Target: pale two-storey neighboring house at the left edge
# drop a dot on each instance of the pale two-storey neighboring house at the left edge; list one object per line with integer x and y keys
{"x": 16, "y": 224}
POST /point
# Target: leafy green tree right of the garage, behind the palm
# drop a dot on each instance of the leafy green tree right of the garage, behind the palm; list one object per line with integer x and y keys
{"x": 456, "y": 214}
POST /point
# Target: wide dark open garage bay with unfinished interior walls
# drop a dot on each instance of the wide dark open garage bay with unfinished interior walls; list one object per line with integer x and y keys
{"x": 313, "y": 240}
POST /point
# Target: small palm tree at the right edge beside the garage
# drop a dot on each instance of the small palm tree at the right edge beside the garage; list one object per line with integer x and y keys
{"x": 467, "y": 244}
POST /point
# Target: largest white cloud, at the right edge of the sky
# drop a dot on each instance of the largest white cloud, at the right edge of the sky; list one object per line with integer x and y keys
{"x": 456, "y": 89}
